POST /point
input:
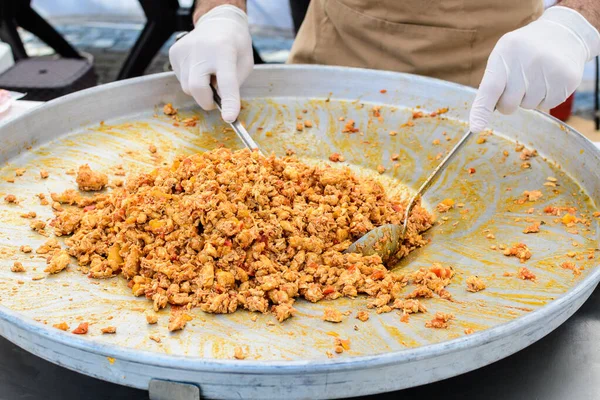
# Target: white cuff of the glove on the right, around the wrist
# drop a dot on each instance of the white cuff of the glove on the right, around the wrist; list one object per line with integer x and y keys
{"x": 578, "y": 25}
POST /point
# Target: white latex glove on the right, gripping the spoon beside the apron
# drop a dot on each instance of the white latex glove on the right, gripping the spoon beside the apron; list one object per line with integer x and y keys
{"x": 539, "y": 65}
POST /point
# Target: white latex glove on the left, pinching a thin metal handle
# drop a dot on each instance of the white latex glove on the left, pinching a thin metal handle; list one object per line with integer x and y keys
{"x": 220, "y": 45}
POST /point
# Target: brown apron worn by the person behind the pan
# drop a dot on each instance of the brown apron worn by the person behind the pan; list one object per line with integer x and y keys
{"x": 446, "y": 39}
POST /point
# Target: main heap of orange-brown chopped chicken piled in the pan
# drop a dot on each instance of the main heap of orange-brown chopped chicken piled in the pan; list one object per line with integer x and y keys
{"x": 218, "y": 231}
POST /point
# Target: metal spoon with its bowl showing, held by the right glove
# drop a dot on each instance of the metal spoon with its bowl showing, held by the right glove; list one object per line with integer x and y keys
{"x": 386, "y": 239}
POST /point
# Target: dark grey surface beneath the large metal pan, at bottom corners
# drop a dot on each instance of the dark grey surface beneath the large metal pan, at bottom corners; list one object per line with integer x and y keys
{"x": 563, "y": 365}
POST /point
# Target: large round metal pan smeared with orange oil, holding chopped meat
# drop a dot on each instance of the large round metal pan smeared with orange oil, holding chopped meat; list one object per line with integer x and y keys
{"x": 289, "y": 360}
